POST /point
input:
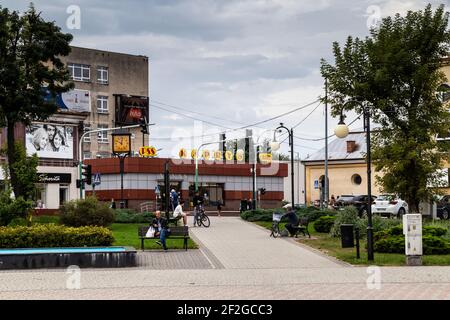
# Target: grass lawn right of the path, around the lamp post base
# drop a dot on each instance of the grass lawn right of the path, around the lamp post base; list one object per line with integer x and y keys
{"x": 332, "y": 246}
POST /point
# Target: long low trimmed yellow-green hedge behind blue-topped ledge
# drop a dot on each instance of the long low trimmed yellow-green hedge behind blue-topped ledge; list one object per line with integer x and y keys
{"x": 51, "y": 235}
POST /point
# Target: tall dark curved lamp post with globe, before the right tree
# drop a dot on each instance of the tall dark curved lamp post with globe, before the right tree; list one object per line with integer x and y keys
{"x": 341, "y": 131}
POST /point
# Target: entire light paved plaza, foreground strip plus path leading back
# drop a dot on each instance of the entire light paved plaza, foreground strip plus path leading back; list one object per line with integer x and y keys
{"x": 236, "y": 260}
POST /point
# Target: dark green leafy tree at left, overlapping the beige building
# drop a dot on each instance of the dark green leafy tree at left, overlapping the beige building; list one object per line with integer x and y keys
{"x": 29, "y": 62}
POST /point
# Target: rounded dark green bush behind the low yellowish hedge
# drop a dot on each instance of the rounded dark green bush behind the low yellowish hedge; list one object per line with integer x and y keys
{"x": 86, "y": 212}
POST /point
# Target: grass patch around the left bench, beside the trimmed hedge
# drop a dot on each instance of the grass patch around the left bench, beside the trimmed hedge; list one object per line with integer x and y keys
{"x": 125, "y": 234}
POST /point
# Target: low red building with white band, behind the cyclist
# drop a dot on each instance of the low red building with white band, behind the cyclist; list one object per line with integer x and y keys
{"x": 227, "y": 182}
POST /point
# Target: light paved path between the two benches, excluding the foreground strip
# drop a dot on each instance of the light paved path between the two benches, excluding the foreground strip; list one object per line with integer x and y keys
{"x": 238, "y": 244}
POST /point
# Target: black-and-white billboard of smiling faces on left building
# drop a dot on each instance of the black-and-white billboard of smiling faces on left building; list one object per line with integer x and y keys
{"x": 50, "y": 141}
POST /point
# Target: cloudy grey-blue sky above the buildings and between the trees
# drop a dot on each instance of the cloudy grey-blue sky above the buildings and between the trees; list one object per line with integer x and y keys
{"x": 227, "y": 63}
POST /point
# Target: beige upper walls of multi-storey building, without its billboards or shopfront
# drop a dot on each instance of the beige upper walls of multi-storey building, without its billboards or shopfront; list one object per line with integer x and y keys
{"x": 106, "y": 77}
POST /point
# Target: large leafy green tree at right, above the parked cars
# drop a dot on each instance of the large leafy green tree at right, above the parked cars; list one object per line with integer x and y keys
{"x": 395, "y": 73}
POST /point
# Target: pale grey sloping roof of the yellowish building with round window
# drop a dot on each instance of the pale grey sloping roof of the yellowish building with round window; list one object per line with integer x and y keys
{"x": 337, "y": 149}
